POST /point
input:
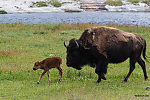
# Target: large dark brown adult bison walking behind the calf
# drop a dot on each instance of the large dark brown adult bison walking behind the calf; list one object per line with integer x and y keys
{"x": 102, "y": 45}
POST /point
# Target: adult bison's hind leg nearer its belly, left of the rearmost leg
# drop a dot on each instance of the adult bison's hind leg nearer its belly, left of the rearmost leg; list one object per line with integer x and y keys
{"x": 132, "y": 67}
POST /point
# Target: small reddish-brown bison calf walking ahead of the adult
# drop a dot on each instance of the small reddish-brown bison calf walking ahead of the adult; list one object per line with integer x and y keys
{"x": 48, "y": 63}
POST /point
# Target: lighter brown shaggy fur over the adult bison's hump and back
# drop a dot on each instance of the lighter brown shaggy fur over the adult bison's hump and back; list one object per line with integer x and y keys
{"x": 102, "y": 37}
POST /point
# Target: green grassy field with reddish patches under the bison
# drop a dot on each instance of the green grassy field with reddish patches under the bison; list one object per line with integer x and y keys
{"x": 21, "y": 45}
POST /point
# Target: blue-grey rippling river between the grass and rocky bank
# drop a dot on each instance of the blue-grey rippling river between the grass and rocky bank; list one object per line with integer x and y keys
{"x": 121, "y": 18}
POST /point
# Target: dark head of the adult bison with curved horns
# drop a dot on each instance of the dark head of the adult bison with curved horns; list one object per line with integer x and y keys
{"x": 74, "y": 54}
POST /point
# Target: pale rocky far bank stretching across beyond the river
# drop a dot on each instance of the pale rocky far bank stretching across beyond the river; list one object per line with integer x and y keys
{"x": 12, "y": 6}
